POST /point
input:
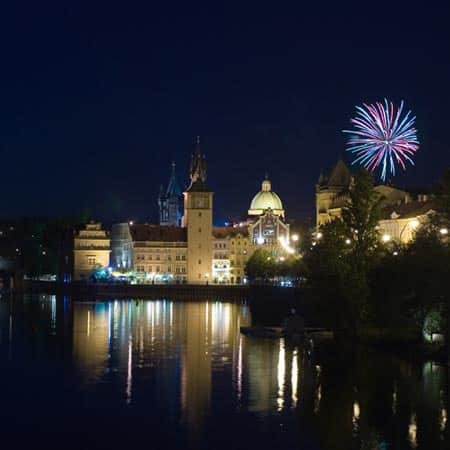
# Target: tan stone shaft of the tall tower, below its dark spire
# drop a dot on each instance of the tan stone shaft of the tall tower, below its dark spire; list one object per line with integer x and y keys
{"x": 198, "y": 220}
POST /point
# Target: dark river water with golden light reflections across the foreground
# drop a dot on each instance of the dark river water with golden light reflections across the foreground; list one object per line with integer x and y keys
{"x": 162, "y": 374}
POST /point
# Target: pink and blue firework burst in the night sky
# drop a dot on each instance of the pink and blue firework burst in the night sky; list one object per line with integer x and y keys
{"x": 382, "y": 137}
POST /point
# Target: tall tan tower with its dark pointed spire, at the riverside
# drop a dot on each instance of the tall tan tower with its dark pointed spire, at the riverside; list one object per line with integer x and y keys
{"x": 198, "y": 220}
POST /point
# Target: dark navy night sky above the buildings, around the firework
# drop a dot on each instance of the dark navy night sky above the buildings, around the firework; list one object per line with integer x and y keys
{"x": 97, "y": 98}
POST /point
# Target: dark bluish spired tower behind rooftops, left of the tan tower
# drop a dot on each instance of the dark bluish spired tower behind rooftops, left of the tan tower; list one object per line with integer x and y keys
{"x": 170, "y": 202}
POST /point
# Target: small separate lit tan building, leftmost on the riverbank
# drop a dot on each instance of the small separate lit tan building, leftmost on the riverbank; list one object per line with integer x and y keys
{"x": 91, "y": 250}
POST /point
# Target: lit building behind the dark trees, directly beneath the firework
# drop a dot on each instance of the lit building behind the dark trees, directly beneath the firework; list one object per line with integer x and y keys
{"x": 401, "y": 214}
